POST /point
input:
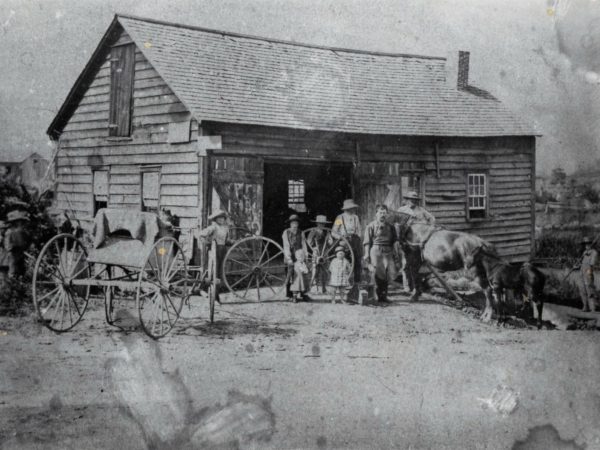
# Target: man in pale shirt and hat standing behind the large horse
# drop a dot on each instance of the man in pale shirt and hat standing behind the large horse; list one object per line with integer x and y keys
{"x": 411, "y": 257}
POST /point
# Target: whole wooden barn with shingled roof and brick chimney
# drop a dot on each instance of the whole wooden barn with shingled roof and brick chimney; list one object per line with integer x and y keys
{"x": 189, "y": 119}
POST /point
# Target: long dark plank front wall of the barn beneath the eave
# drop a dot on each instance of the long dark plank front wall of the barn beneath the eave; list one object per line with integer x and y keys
{"x": 509, "y": 163}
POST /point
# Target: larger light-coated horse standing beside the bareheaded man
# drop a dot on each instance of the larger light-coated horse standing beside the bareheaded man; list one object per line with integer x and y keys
{"x": 444, "y": 250}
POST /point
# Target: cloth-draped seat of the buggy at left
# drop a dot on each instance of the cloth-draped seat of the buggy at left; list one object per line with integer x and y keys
{"x": 124, "y": 238}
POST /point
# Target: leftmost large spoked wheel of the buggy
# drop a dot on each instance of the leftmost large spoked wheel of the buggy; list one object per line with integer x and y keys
{"x": 59, "y": 304}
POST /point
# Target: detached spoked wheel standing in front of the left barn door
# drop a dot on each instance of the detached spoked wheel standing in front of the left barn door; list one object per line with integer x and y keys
{"x": 253, "y": 269}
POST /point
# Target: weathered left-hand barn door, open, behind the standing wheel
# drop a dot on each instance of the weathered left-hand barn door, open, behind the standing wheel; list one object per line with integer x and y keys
{"x": 237, "y": 187}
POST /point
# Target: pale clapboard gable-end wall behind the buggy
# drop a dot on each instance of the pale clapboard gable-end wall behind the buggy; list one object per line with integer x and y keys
{"x": 85, "y": 145}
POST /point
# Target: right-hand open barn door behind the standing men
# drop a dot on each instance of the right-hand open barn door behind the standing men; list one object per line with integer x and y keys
{"x": 384, "y": 183}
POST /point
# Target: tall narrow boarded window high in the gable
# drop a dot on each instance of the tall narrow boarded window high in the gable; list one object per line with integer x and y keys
{"x": 122, "y": 66}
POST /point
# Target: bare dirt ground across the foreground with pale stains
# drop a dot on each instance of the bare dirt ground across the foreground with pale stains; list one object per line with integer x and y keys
{"x": 307, "y": 375}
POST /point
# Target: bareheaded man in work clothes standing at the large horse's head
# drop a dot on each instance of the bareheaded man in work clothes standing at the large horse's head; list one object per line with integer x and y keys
{"x": 378, "y": 243}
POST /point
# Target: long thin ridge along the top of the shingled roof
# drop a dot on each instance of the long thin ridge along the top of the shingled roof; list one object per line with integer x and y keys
{"x": 277, "y": 41}
